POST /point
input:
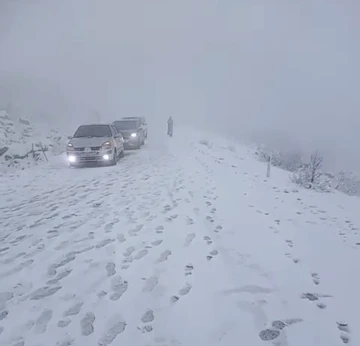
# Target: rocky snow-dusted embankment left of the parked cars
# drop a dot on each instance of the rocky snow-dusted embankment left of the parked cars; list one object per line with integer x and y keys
{"x": 24, "y": 144}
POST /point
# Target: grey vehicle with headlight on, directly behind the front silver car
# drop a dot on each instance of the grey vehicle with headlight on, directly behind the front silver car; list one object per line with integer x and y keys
{"x": 132, "y": 132}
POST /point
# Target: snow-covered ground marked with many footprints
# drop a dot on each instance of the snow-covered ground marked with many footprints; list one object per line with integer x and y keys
{"x": 182, "y": 243}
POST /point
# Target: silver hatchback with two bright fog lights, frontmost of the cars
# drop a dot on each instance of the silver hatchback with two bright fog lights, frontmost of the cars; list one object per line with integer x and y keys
{"x": 97, "y": 143}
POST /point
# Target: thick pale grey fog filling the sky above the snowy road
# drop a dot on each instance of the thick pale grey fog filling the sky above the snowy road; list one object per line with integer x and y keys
{"x": 285, "y": 73}
